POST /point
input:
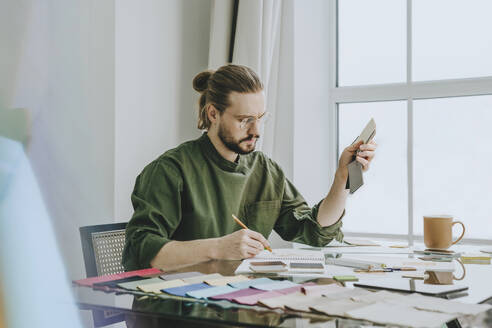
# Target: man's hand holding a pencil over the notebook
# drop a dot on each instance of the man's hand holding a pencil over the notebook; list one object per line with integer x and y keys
{"x": 241, "y": 244}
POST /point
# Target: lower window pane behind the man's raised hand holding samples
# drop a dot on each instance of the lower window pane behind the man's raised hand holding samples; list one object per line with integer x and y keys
{"x": 380, "y": 205}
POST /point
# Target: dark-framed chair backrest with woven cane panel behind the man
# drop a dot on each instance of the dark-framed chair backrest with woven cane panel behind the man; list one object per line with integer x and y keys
{"x": 102, "y": 246}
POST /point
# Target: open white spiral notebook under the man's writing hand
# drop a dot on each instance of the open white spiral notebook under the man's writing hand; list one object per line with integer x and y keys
{"x": 285, "y": 255}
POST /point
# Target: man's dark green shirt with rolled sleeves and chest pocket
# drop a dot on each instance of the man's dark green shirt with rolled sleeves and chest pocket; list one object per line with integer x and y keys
{"x": 190, "y": 192}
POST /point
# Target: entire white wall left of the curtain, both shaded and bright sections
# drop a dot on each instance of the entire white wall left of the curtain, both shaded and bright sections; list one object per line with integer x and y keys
{"x": 108, "y": 84}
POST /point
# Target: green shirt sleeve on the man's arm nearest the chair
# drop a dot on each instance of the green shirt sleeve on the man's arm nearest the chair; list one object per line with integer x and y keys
{"x": 156, "y": 200}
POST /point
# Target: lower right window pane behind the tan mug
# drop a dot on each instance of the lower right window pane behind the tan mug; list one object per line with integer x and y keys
{"x": 452, "y": 161}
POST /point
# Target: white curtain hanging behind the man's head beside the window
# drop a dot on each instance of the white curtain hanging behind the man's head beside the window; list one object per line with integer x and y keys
{"x": 264, "y": 42}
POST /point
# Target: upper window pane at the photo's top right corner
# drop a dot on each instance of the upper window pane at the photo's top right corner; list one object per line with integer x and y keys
{"x": 451, "y": 39}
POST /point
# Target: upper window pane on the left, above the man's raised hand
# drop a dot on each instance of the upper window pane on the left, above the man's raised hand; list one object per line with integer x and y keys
{"x": 371, "y": 41}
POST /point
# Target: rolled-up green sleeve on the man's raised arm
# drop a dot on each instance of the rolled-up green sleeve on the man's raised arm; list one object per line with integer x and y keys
{"x": 298, "y": 222}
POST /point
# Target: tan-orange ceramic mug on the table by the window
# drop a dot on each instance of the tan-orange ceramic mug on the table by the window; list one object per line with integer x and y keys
{"x": 438, "y": 231}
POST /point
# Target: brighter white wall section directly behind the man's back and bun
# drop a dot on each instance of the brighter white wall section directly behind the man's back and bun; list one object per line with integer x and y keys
{"x": 160, "y": 47}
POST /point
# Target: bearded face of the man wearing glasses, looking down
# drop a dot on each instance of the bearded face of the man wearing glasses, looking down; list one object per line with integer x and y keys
{"x": 237, "y": 128}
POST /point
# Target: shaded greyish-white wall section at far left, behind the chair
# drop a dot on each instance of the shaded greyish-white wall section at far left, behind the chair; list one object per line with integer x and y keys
{"x": 64, "y": 77}
